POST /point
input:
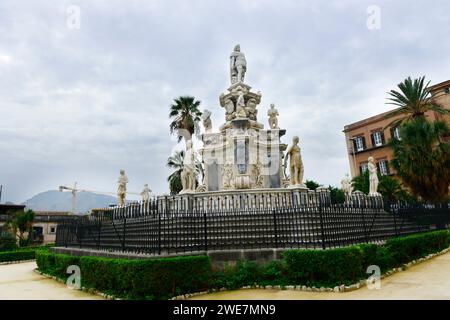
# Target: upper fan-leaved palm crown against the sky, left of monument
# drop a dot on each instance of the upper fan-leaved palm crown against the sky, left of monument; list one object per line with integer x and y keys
{"x": 186, "y": 115}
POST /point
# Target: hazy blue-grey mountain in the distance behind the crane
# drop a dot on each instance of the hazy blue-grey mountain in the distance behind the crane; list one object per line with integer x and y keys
{"x": 53, "y": 200}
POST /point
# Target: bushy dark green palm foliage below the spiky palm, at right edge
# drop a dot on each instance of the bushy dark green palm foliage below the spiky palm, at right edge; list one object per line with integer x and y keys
{"x": 422, "y": 157}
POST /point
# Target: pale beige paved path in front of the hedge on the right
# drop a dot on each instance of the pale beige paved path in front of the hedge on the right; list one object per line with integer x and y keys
{"x": 427, "y": 280}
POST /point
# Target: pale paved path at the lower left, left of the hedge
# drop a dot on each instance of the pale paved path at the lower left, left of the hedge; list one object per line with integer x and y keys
{"x": 19, "y": 281}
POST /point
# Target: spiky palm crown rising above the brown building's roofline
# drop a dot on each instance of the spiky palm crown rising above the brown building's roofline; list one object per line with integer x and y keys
{"x": 413, "y": 100}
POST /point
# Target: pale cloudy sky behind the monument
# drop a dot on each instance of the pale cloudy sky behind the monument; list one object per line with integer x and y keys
{"x": 79, "y": 102}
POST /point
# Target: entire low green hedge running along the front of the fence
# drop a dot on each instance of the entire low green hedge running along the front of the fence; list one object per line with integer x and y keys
{"x": 167, "y": 277}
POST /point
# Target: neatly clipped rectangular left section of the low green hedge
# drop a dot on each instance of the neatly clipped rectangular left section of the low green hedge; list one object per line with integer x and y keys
{"x": 133, "y": 279}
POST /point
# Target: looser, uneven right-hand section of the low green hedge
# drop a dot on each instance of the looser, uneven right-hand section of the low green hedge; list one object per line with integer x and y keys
{"x": 331, "y": 267}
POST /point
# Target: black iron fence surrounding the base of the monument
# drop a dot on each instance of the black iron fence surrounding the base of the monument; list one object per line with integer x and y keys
{"x": 149, "y": 228}
